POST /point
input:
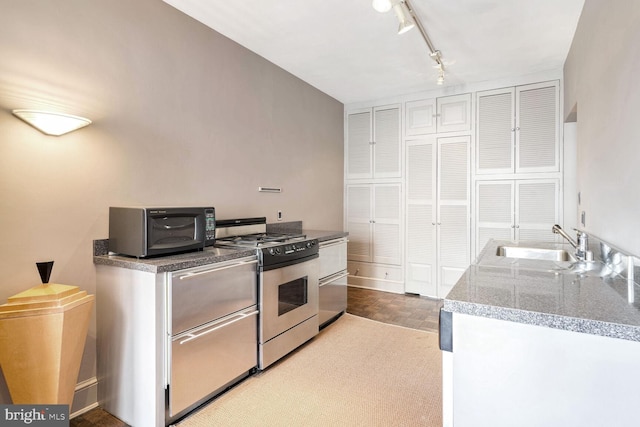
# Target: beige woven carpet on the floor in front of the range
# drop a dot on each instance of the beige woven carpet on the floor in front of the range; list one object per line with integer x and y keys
{"x": 356, "y": 372}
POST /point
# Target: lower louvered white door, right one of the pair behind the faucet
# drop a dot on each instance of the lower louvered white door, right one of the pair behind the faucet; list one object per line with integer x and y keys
{"x": 536, "y": 209}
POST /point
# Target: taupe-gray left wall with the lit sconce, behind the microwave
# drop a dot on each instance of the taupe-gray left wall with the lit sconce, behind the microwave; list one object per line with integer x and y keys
{"x": 182, "y": 116}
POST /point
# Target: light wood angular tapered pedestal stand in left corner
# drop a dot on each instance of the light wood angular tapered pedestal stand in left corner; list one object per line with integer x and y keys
{"x": 42, "y": 336}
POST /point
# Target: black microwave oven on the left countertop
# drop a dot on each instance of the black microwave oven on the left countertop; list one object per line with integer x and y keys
{"x": 144, "y": 232}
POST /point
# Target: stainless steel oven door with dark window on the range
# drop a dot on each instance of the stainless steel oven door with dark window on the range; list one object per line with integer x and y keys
{"x": 288, "y": 296}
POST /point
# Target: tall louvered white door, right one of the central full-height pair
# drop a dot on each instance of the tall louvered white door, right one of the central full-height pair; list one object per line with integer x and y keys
{"x": 453, "y": 211}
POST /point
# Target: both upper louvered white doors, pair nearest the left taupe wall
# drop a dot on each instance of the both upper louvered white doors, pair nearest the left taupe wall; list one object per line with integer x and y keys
{"x": 373, "y": 143}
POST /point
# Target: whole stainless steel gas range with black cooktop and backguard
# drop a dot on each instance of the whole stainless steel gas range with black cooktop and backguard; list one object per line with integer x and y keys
{"x": 288, "y": 276}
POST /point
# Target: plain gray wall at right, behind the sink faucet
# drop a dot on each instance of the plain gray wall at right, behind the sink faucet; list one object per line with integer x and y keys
{"x": 602, "y": 86}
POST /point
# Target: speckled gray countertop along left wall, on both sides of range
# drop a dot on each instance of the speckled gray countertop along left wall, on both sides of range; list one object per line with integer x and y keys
{"x": 188, "y": 260}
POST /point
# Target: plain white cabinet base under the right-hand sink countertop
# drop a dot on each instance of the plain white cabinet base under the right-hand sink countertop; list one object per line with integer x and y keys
{"x": 508, "y": 374}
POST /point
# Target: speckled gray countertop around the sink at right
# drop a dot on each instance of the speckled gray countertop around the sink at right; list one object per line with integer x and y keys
{"x": 545, "y": 293}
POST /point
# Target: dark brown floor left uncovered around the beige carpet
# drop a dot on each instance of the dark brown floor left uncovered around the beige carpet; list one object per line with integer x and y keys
{"x": 406, "y": 310}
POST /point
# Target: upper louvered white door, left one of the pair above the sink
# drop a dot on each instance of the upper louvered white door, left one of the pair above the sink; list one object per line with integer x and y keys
{"x": 495, "y": 131}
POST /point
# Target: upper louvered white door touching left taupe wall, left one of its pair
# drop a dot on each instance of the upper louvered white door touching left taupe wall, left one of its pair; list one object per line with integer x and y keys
{"x": 359, "y": 144}
